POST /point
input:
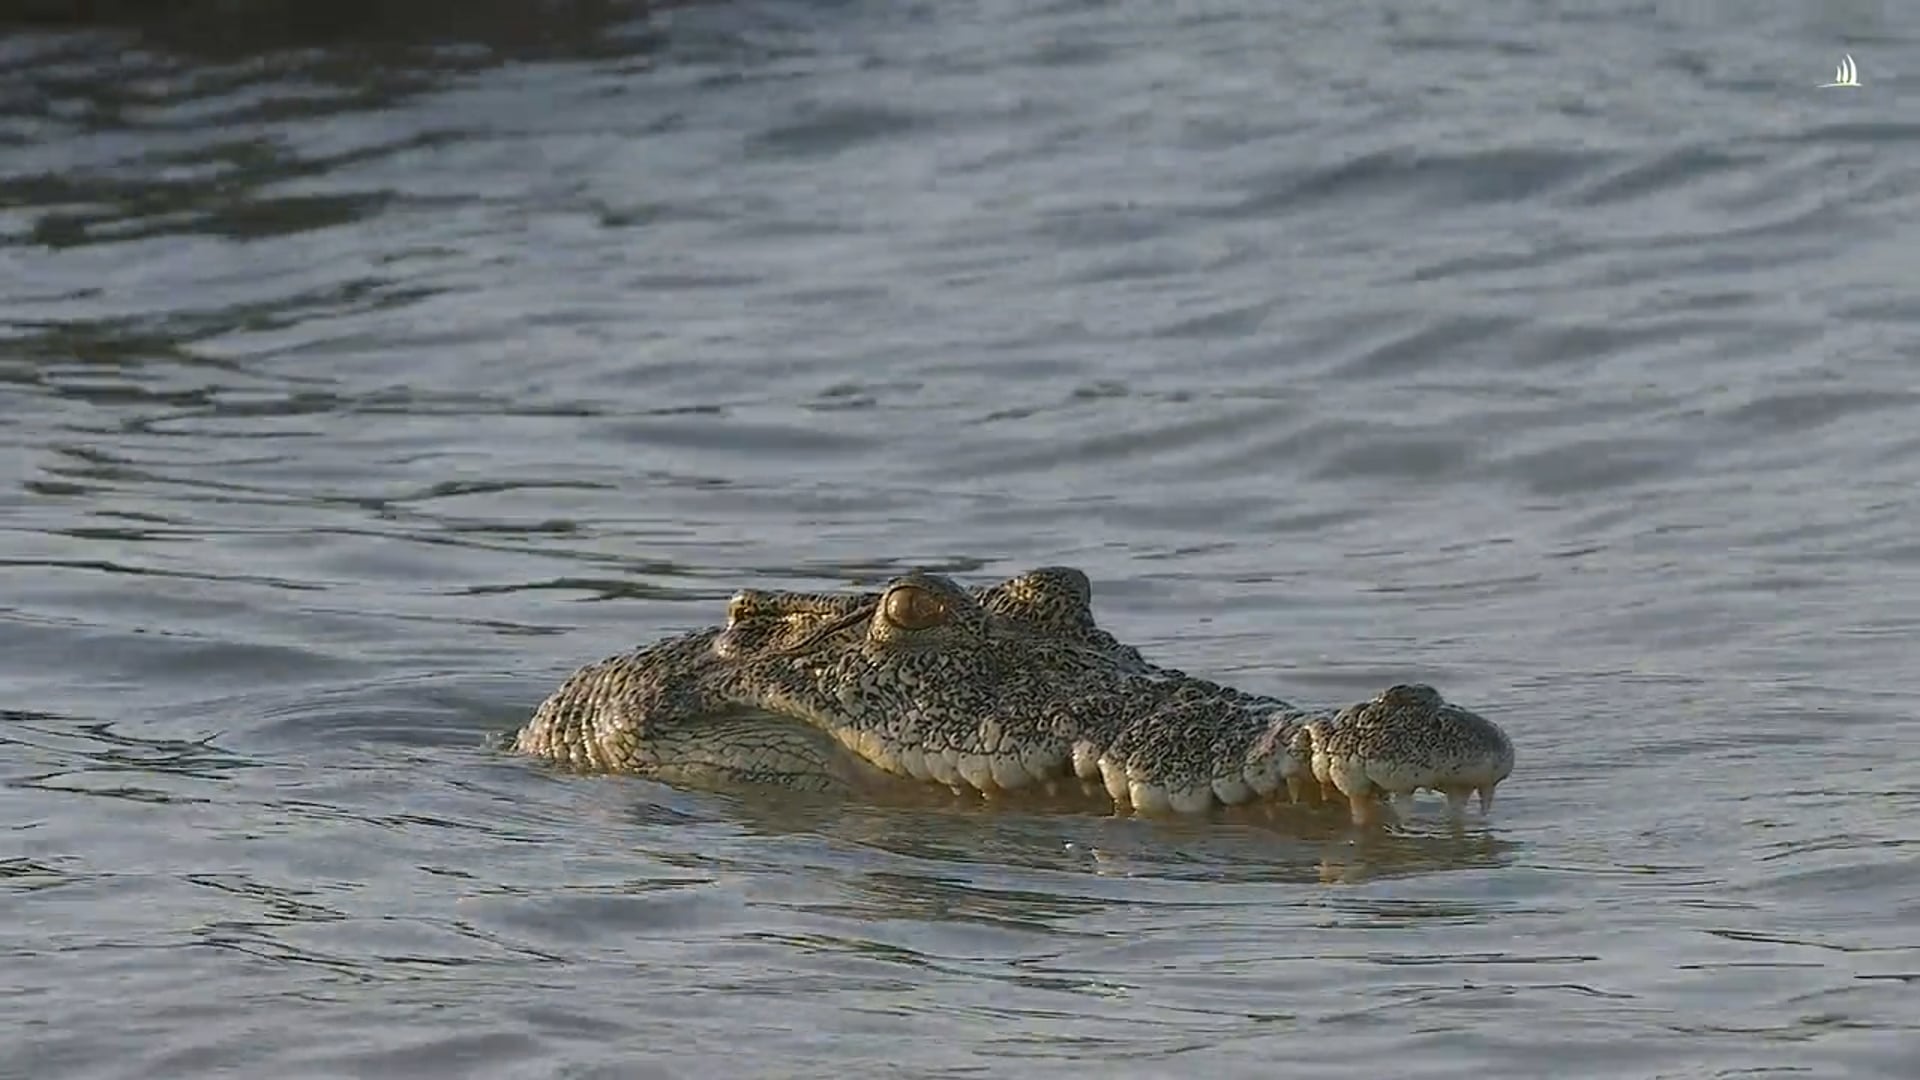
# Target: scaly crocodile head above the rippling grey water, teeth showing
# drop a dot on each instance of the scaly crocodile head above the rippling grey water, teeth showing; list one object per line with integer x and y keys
{"x": 992, "y": 689}
